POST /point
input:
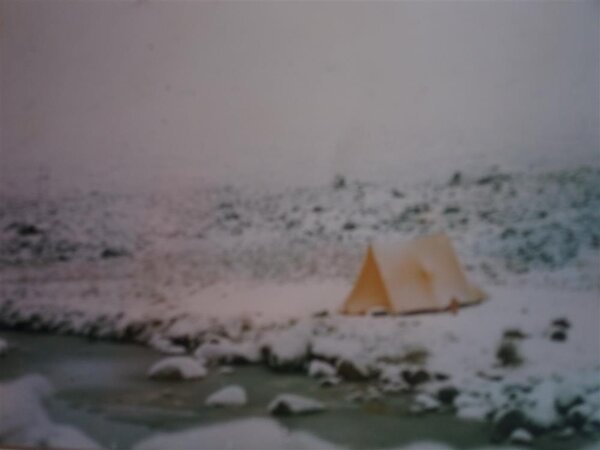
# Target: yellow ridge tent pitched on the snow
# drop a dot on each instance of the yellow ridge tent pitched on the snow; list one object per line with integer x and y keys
{"x": 421, "y": 275}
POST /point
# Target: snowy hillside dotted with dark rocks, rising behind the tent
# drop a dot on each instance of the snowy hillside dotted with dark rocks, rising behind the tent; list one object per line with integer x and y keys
{"x": 540, "y": 228}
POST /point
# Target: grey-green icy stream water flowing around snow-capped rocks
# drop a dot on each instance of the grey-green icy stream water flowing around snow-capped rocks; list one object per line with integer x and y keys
{"x": 103, "y": 390}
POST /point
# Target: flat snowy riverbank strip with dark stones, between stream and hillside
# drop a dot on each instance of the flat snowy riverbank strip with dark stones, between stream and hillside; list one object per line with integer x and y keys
{"x": 524, "y": 359}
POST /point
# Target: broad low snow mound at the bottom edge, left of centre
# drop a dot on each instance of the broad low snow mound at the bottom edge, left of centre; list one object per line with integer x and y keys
{"x": 256, "y": 433}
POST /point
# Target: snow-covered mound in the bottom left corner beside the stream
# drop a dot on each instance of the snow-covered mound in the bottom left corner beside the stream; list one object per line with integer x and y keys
{"x": 25, "y": 423}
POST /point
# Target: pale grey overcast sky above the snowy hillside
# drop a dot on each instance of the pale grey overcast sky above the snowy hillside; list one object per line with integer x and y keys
{"x": 145, "y": 95}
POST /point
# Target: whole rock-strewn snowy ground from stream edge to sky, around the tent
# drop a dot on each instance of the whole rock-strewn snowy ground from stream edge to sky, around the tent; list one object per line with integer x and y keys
{"x": 230, "y": 276}
